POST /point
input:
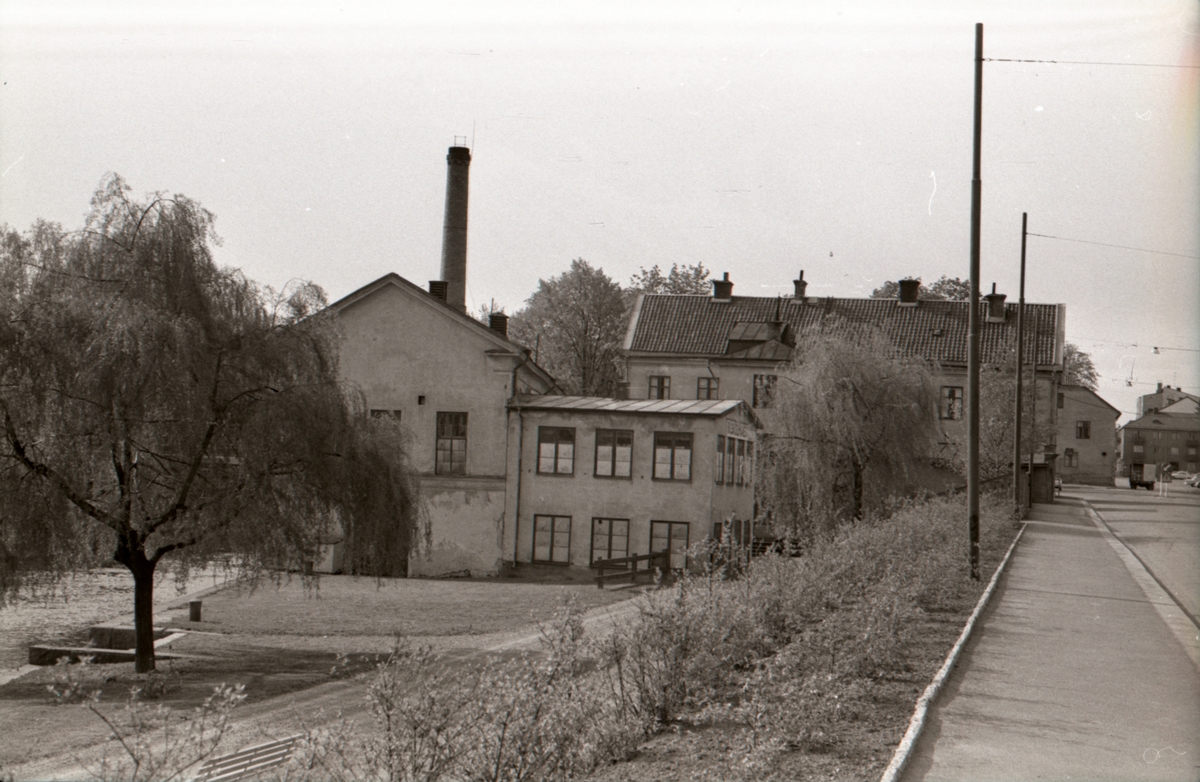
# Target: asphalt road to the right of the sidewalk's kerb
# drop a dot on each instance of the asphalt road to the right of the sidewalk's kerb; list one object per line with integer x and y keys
{"x": 1163, "y": 532}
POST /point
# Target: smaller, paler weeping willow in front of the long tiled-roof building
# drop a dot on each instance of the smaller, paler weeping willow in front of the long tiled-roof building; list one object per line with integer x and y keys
{"x": 850, "y": 418}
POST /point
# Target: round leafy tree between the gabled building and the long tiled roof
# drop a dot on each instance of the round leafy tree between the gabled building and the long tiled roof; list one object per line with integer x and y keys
{"x": 575, "y": 323}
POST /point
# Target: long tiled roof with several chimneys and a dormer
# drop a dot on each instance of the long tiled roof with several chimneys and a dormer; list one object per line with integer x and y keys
{"x": 937, "y": 330}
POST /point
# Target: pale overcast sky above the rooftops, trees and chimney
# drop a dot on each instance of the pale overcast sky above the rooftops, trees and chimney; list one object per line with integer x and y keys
{"x": 757, "y": 139}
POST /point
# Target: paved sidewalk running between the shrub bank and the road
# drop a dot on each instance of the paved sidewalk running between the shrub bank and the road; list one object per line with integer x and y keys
{"x": 1073, "y": 672}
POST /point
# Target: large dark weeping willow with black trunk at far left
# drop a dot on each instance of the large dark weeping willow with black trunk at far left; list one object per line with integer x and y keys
{"x": 154, "y": 406}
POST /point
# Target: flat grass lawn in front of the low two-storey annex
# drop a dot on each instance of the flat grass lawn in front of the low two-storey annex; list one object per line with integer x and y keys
{"x": 351, "y": 606}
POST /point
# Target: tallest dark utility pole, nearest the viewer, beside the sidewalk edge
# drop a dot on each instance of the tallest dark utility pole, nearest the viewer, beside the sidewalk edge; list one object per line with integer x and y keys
{"x": 974, "y": 326}
